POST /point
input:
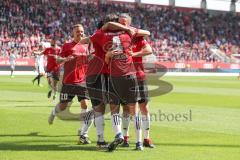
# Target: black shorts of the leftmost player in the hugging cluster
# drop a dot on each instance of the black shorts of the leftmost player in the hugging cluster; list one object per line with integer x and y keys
{"x": 97, "y": 86}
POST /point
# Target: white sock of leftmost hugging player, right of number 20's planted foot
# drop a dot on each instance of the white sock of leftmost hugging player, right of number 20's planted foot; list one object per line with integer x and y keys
{"x": 99, "y": 122}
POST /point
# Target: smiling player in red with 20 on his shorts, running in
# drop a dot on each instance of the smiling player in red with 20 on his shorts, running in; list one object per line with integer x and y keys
{"x": 74, "y": 57}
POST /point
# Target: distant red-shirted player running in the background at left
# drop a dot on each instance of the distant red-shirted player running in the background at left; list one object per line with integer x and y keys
{"x": 52, "y": 67}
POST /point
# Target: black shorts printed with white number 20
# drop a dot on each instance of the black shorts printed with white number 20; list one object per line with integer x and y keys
{"x": 69, "y": 91}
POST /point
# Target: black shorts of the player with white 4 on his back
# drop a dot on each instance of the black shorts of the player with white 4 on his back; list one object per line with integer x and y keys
{"x": 123, "y": 90}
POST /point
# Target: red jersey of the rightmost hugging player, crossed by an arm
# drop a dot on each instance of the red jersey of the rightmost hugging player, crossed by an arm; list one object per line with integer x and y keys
{"x": 137, "y": 44}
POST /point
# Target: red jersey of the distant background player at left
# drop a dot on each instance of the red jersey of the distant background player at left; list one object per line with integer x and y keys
{"x": 52, "y": 65}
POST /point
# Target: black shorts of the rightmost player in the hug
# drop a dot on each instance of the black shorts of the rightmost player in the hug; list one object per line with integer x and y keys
{"x": 142, "y": 91}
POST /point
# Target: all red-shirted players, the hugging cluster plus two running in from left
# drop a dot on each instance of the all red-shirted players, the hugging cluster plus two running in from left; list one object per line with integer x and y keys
{"x": 106, "y": 68}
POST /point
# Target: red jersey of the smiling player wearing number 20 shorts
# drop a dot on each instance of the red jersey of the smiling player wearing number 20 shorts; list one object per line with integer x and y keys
{"x": 75, "y": 69}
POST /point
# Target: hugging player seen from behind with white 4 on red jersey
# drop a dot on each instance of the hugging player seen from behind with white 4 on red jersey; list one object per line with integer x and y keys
{"x": 123, "y": 84}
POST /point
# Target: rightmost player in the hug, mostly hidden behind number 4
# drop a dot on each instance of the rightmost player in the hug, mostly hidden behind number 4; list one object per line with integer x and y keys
{"x": 140, "y": 48}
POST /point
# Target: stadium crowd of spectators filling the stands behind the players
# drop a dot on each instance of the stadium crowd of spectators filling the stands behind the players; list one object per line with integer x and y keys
{"x": 176, "y": 35}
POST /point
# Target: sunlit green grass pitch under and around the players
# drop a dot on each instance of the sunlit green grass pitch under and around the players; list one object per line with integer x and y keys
{"x": 213, "y": 133}
